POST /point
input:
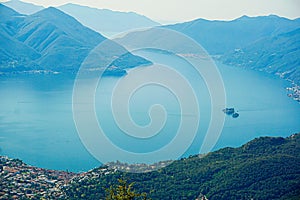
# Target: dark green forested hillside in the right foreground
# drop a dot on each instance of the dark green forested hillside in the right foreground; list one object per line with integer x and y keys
{"x": 265, "y": 168}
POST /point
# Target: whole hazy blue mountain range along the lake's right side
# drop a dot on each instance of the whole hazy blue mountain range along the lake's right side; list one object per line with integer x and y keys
{"x": 252, "y": 42}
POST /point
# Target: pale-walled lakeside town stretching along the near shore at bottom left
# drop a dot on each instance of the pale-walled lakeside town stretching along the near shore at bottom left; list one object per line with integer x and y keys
{"x": 22, "y": 181}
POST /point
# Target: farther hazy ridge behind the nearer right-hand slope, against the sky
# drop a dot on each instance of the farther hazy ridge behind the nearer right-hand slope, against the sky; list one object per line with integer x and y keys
{"x": 219, "y": 37}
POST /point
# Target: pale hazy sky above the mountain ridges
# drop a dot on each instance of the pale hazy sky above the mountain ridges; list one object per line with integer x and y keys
{"x": 184, "y": 10}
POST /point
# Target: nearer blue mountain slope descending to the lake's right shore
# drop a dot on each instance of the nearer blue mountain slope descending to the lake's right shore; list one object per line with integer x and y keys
{"x": 277, "y": 55}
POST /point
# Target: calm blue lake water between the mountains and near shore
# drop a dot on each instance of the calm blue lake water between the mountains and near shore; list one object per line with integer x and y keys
{"x": 37, "y": 126}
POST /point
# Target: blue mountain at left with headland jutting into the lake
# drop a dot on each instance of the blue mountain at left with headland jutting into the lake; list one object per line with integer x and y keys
{"x": 49, "y": 40}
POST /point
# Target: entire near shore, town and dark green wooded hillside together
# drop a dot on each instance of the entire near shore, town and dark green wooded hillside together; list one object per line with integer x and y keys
{"x": 264, "y": 168}
